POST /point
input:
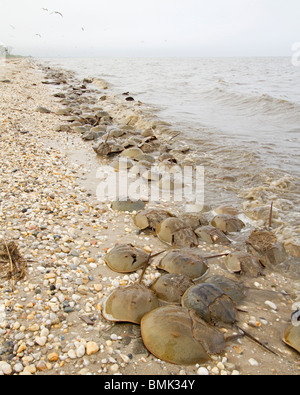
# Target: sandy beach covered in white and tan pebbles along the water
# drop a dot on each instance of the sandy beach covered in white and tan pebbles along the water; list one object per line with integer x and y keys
{"x": 50, "y": 319}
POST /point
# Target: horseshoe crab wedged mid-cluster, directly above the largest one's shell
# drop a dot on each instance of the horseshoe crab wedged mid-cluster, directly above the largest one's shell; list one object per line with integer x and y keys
{"x": 170, "y": 287}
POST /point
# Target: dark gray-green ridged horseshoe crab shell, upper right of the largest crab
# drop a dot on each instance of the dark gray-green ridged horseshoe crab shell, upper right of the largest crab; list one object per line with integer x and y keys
{"x": 211, "y": 303}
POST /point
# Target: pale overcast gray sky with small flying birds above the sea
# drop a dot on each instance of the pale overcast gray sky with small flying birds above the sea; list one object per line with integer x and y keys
{"x": 150, "y": 27}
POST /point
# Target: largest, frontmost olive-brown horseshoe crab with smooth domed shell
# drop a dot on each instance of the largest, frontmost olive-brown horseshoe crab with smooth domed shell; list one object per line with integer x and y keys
{"x": 177, "y": 335}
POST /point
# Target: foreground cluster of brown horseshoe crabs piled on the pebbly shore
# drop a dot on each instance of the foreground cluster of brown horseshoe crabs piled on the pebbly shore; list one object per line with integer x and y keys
{"x": 182, "y": 313}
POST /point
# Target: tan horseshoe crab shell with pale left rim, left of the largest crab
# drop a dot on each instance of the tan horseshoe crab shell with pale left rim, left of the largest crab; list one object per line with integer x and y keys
{"x": 129, "y": 304}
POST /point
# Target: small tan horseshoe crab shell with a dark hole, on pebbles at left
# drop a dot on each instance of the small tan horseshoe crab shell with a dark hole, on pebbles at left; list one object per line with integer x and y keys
{"x": 125, "y": 258}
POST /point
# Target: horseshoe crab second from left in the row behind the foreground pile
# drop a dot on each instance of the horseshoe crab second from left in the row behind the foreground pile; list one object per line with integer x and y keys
{"x": 177, "y": 233}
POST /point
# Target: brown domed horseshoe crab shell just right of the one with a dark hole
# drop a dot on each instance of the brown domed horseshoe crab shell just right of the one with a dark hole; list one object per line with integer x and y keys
{"x": 185, "y": 263}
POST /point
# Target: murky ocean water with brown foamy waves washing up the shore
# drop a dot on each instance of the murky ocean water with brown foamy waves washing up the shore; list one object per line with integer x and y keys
{"x": 240, "y": 116}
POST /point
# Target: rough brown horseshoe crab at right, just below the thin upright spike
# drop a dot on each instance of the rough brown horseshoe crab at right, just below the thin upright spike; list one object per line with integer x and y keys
{"x": 264, "y": 245}
